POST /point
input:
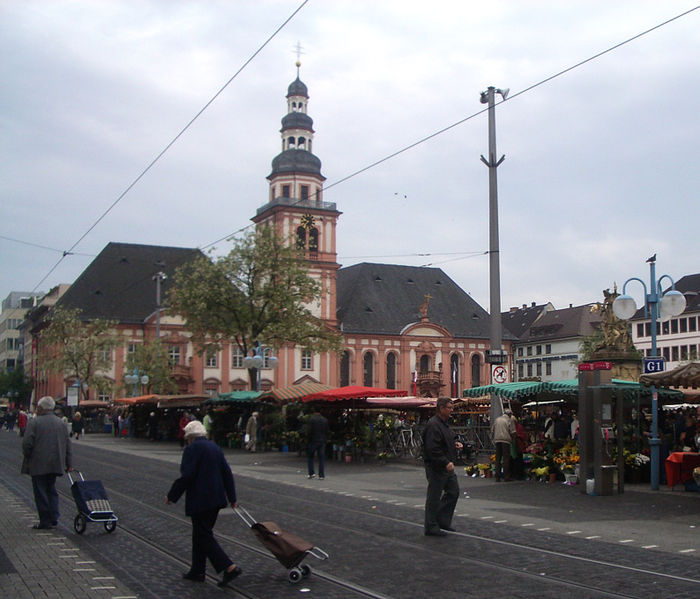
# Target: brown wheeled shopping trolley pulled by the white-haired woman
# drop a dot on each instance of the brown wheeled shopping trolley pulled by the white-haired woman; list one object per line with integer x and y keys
{"x": 289, "y": 549}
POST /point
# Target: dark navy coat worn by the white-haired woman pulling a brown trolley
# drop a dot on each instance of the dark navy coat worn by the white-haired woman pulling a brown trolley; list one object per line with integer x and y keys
{"x": 206, "y": 478}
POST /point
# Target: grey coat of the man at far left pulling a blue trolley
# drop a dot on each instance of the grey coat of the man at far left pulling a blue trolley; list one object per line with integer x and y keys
{"x": 46, "y": 446}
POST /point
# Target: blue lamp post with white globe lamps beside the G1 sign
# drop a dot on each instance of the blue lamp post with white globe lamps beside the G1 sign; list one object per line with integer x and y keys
{"x": 663, "y": 306}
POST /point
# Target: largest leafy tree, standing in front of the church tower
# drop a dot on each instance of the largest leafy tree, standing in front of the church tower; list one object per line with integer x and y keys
{"x": 260, "y": 292}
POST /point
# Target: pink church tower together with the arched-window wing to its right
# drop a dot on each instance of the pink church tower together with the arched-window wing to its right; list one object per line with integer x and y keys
{"x": 404, "y": 327}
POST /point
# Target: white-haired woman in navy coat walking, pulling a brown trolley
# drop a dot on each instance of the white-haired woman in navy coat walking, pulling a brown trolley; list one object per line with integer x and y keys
{"x": 207, "y": 481}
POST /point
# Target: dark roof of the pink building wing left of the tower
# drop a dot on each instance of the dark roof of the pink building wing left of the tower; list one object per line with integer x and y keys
{"x": 118, "y": 284}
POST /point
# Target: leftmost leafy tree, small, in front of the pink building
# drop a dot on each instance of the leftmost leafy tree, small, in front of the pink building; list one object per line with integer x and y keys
{"x": 79, "y": 349}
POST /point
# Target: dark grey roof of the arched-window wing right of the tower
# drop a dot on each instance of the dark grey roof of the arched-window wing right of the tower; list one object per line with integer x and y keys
{"x": 385, "y": 298}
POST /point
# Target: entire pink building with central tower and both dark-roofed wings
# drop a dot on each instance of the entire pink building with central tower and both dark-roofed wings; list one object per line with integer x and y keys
{"x": 404, "y": 327}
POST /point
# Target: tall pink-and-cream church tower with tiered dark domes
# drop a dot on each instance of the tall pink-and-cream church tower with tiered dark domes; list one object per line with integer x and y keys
{"x": 296, "y": 208}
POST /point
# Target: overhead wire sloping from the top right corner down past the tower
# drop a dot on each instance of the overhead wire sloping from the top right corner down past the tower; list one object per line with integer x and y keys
{"x": 468, "y": 118}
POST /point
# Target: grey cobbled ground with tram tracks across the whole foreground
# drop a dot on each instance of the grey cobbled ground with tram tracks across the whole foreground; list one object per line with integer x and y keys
{"x": 513, "y": 539}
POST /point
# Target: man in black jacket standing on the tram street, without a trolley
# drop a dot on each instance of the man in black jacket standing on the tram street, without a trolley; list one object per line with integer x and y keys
{"x": 440, "y": 454}
